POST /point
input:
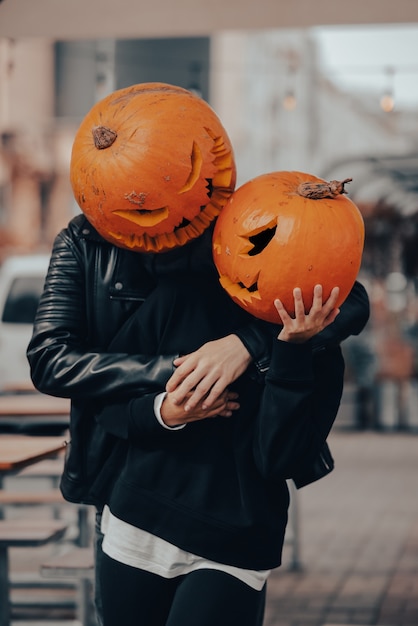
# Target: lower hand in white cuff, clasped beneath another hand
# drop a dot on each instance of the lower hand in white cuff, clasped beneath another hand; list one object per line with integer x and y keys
{"x": 174, "y": 414}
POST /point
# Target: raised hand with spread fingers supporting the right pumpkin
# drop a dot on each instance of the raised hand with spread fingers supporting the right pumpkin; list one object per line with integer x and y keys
{"x": 303, "y": 326}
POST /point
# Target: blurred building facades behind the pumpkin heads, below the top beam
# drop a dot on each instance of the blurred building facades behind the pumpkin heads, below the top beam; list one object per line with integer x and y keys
{"x": 279, "y": 110}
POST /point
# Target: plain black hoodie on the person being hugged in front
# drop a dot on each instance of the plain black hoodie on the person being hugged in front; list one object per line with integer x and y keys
{"x": 217, "y": 487}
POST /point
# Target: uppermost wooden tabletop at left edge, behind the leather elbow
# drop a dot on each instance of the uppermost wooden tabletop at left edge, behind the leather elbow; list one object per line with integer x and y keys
{"x": 33, "y": 412}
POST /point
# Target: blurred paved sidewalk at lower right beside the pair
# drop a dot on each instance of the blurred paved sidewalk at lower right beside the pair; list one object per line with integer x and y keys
{"x": 358, "y": 539}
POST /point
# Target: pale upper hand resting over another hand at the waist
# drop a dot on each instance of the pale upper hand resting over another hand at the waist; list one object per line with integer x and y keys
{"x": 203, "y": 375}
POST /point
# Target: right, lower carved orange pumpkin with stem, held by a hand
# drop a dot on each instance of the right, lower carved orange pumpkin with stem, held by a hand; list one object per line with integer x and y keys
{"x": 269, "y": 239}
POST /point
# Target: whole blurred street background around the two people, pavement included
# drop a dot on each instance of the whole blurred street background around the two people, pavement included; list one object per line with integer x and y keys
{"x": 331, "y": 91}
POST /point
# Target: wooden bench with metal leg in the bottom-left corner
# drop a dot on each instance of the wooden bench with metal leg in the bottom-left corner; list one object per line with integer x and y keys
{"x": 20, "y": 533}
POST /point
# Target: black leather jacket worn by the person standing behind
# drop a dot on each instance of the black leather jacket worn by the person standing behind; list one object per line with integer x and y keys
{"x": 91, "y": 288}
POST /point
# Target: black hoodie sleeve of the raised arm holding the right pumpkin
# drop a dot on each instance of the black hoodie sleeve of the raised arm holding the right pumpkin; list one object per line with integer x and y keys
{"x": 298, "y": 407}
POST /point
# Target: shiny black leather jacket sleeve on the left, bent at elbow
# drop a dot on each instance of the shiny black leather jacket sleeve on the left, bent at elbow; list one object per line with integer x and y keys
{"x": 62, "y": 361}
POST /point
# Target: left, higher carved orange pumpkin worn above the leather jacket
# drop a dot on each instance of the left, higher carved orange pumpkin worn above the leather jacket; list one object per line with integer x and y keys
{"x": 151, "y": 167}
